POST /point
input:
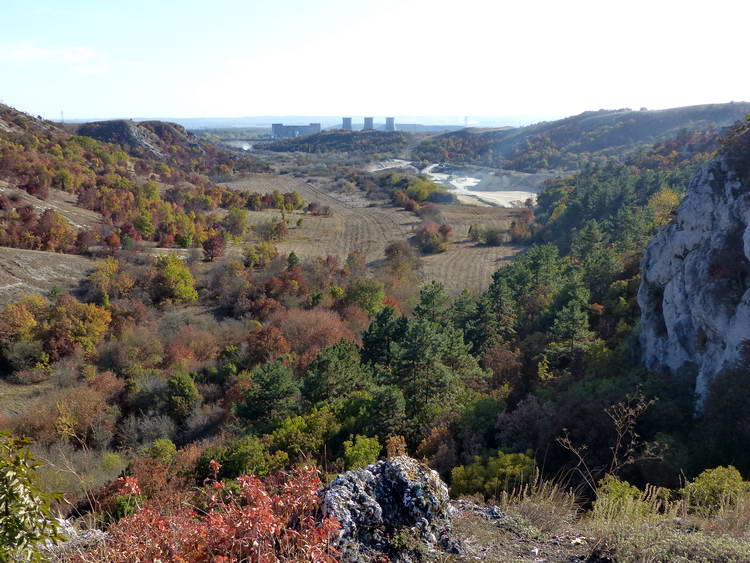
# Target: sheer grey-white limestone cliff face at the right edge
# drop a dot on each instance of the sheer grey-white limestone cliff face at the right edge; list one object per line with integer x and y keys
{"x": 695, "y": 288}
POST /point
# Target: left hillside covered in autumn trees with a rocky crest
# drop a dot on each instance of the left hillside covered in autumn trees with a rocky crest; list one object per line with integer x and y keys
{"x": 142, "y": 185}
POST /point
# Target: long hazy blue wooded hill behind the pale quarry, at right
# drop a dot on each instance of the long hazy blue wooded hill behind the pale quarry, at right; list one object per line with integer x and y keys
{"x": 568, "y": 143}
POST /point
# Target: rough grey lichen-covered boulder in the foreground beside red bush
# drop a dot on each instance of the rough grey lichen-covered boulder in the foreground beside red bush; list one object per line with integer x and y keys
{"x": 398, "y": 508}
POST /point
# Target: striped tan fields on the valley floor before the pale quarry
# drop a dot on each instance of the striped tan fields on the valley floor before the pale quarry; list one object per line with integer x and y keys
{"x": 367, "y": 226}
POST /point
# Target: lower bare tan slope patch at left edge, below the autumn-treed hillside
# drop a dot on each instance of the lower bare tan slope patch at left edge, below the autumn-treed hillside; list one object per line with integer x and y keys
{"x": 33, "y": 271}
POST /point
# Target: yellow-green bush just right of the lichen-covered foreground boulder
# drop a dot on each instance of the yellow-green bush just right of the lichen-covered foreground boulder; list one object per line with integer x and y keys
{"x": 493, "y": 475}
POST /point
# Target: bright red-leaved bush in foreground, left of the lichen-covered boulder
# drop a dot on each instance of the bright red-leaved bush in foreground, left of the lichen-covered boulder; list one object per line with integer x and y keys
{"x": 264, "y": 522}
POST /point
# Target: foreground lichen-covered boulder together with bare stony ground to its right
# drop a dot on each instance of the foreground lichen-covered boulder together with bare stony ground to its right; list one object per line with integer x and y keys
{"x": 399, "y": 509}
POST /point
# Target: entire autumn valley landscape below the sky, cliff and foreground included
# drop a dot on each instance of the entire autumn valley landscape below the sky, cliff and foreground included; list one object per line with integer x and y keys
{"x": 292, "y": 321}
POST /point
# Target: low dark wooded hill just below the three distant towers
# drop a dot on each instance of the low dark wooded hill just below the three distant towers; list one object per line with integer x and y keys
{"x": 390, "y": 143}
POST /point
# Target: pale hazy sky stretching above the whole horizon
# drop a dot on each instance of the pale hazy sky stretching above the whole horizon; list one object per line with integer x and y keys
{"x": 193, "y": 58}
